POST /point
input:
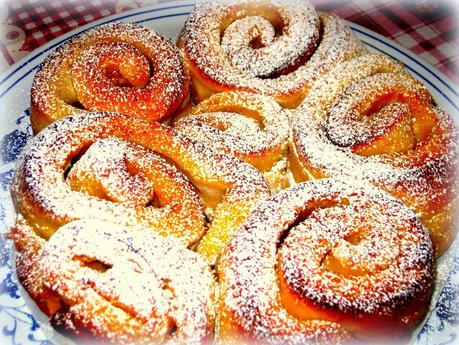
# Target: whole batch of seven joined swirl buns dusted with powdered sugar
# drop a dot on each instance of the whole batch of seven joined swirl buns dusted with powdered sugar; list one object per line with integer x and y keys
{"x": 133, "y": 231}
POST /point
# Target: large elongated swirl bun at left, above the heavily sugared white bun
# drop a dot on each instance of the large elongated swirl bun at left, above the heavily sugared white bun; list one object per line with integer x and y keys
{"x": 52, "y": 187}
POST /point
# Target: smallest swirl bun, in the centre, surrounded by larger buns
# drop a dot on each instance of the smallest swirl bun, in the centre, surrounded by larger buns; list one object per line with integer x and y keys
{"x": 248, "y": 126}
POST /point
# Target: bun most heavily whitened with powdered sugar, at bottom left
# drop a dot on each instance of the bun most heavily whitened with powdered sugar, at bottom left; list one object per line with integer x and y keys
{"x": 117, "y": 284}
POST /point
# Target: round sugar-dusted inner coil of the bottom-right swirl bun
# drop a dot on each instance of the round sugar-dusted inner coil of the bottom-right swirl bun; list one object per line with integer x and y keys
{"x": 392, "y": 251}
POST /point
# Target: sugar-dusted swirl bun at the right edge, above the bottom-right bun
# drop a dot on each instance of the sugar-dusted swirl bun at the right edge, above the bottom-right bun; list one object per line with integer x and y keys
{"x": 373, "y": 121}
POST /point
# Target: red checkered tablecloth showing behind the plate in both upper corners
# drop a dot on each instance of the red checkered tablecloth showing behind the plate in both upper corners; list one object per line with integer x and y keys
{"x": 428, "y": 28}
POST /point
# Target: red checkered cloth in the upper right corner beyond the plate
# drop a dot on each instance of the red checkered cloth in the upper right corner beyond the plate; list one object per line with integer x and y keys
{"x": 430, "y": 29}
